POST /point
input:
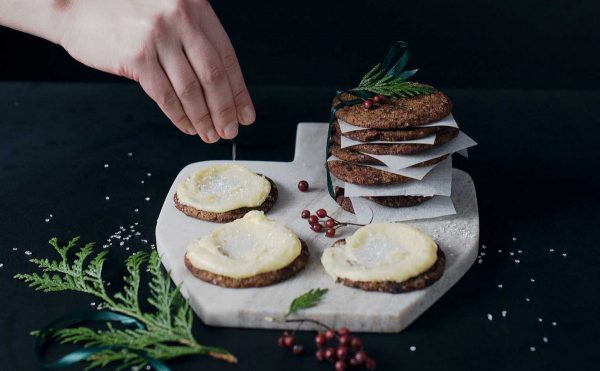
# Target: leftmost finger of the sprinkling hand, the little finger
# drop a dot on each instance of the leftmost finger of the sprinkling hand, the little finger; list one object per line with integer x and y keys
{"x": 156, "y": 84}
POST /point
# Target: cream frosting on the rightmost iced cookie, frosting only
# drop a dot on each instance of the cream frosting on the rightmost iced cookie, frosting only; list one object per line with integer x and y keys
{"x": 381, "y": 252}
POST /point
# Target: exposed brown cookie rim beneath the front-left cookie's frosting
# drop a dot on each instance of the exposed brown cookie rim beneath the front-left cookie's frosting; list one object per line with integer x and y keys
{"x": 260, "y": 280}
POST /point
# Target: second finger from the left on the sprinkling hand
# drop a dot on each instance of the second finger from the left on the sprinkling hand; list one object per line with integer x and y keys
{"x": 189, "y": 91}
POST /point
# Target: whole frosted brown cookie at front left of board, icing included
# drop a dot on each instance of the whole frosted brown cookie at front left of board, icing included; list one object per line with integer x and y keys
{"x": 249, "y": 252}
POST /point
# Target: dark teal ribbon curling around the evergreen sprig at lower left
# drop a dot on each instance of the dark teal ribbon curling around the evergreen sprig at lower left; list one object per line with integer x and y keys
{"x": 47, "y": 334}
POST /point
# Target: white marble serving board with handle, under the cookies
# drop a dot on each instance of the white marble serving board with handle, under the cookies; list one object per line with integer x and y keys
{"x": 458, "y": 236}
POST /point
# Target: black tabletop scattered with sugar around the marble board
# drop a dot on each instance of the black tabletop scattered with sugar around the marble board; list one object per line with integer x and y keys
{"x": 66, "y": 148}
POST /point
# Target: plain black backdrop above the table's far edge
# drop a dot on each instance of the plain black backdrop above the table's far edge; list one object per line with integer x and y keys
{"x": 472, "y": 44}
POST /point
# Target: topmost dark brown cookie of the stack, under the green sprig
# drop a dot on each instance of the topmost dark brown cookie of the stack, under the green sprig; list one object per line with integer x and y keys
{"x": 397, "y": 113}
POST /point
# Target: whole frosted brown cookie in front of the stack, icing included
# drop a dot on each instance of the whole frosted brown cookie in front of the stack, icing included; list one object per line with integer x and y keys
{"x": 385, "y": 257}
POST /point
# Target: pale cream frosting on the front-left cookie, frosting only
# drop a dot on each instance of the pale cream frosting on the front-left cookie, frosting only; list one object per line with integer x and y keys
{"x": 245, "y": 247}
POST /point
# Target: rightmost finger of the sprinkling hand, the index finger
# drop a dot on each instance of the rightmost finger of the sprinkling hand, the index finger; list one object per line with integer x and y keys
{"x": 210, "y": 24}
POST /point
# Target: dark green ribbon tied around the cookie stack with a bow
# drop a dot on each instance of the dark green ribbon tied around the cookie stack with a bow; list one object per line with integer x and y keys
{"x": 393, "y": 63}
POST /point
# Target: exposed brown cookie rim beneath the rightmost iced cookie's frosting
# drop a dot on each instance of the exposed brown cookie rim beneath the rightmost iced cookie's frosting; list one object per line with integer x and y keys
{"x": 414, "y": 283}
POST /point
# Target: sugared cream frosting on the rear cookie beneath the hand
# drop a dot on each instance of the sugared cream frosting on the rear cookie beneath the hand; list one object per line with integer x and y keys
{"x": 222, "y": 188}
